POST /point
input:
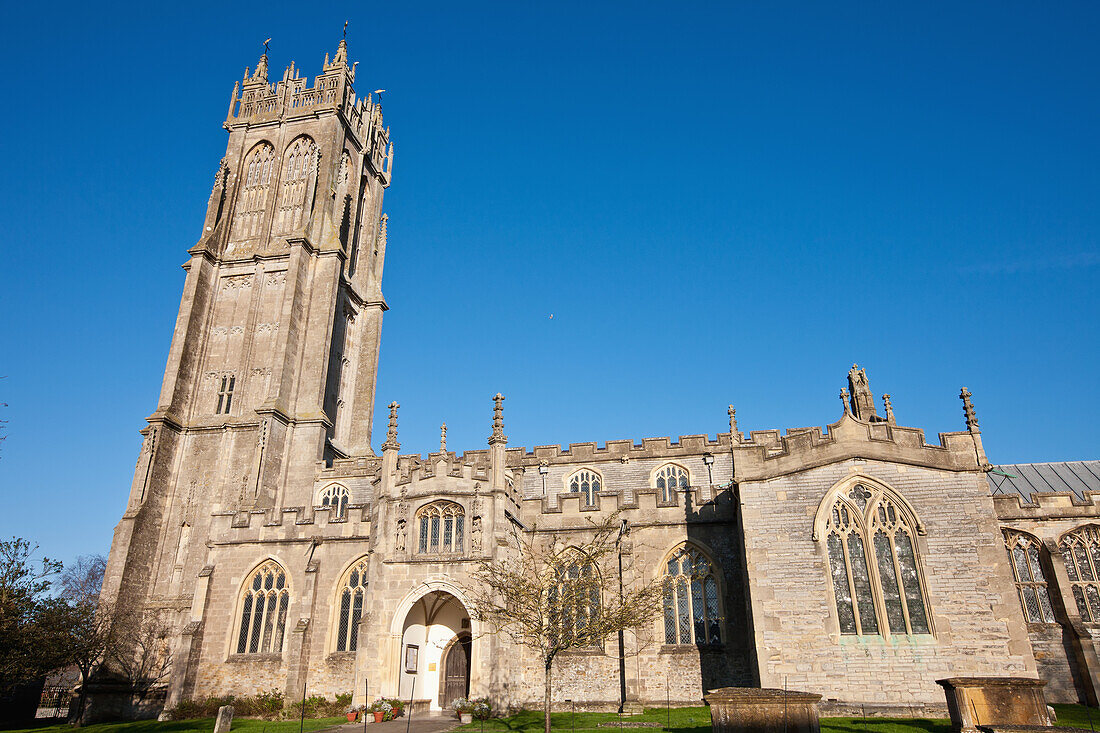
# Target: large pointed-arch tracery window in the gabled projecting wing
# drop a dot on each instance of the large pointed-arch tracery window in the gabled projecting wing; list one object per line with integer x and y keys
{"x": 875, "y": 571}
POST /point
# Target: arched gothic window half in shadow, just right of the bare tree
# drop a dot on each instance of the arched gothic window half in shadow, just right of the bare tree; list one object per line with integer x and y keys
{"x": 691, "y": 600}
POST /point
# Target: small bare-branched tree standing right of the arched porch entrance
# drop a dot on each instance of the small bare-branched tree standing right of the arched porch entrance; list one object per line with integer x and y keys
{"x": 551, "y": 598}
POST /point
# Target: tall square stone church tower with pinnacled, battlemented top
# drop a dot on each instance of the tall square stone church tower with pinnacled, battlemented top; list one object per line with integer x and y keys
{"x": 272, "y": 368}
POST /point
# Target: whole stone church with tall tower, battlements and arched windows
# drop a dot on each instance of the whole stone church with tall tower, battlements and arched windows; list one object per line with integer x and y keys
{"x": 293, "y": 551}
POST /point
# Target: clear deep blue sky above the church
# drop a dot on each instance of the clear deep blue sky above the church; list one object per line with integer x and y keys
{"x": 719, "y": 204}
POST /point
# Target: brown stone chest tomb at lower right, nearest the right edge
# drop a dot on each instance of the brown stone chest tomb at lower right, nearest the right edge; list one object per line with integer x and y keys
{"x": 995, "y": 702}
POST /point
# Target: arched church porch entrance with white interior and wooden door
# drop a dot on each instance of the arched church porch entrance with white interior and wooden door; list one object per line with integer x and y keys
{"x": 436, "y": 651}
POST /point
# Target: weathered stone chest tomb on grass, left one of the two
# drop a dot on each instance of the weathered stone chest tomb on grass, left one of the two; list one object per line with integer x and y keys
{"x": 756, "y": 710}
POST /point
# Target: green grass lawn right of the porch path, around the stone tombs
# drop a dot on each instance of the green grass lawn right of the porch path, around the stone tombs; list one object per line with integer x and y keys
{"x": 698, "y": 720}
